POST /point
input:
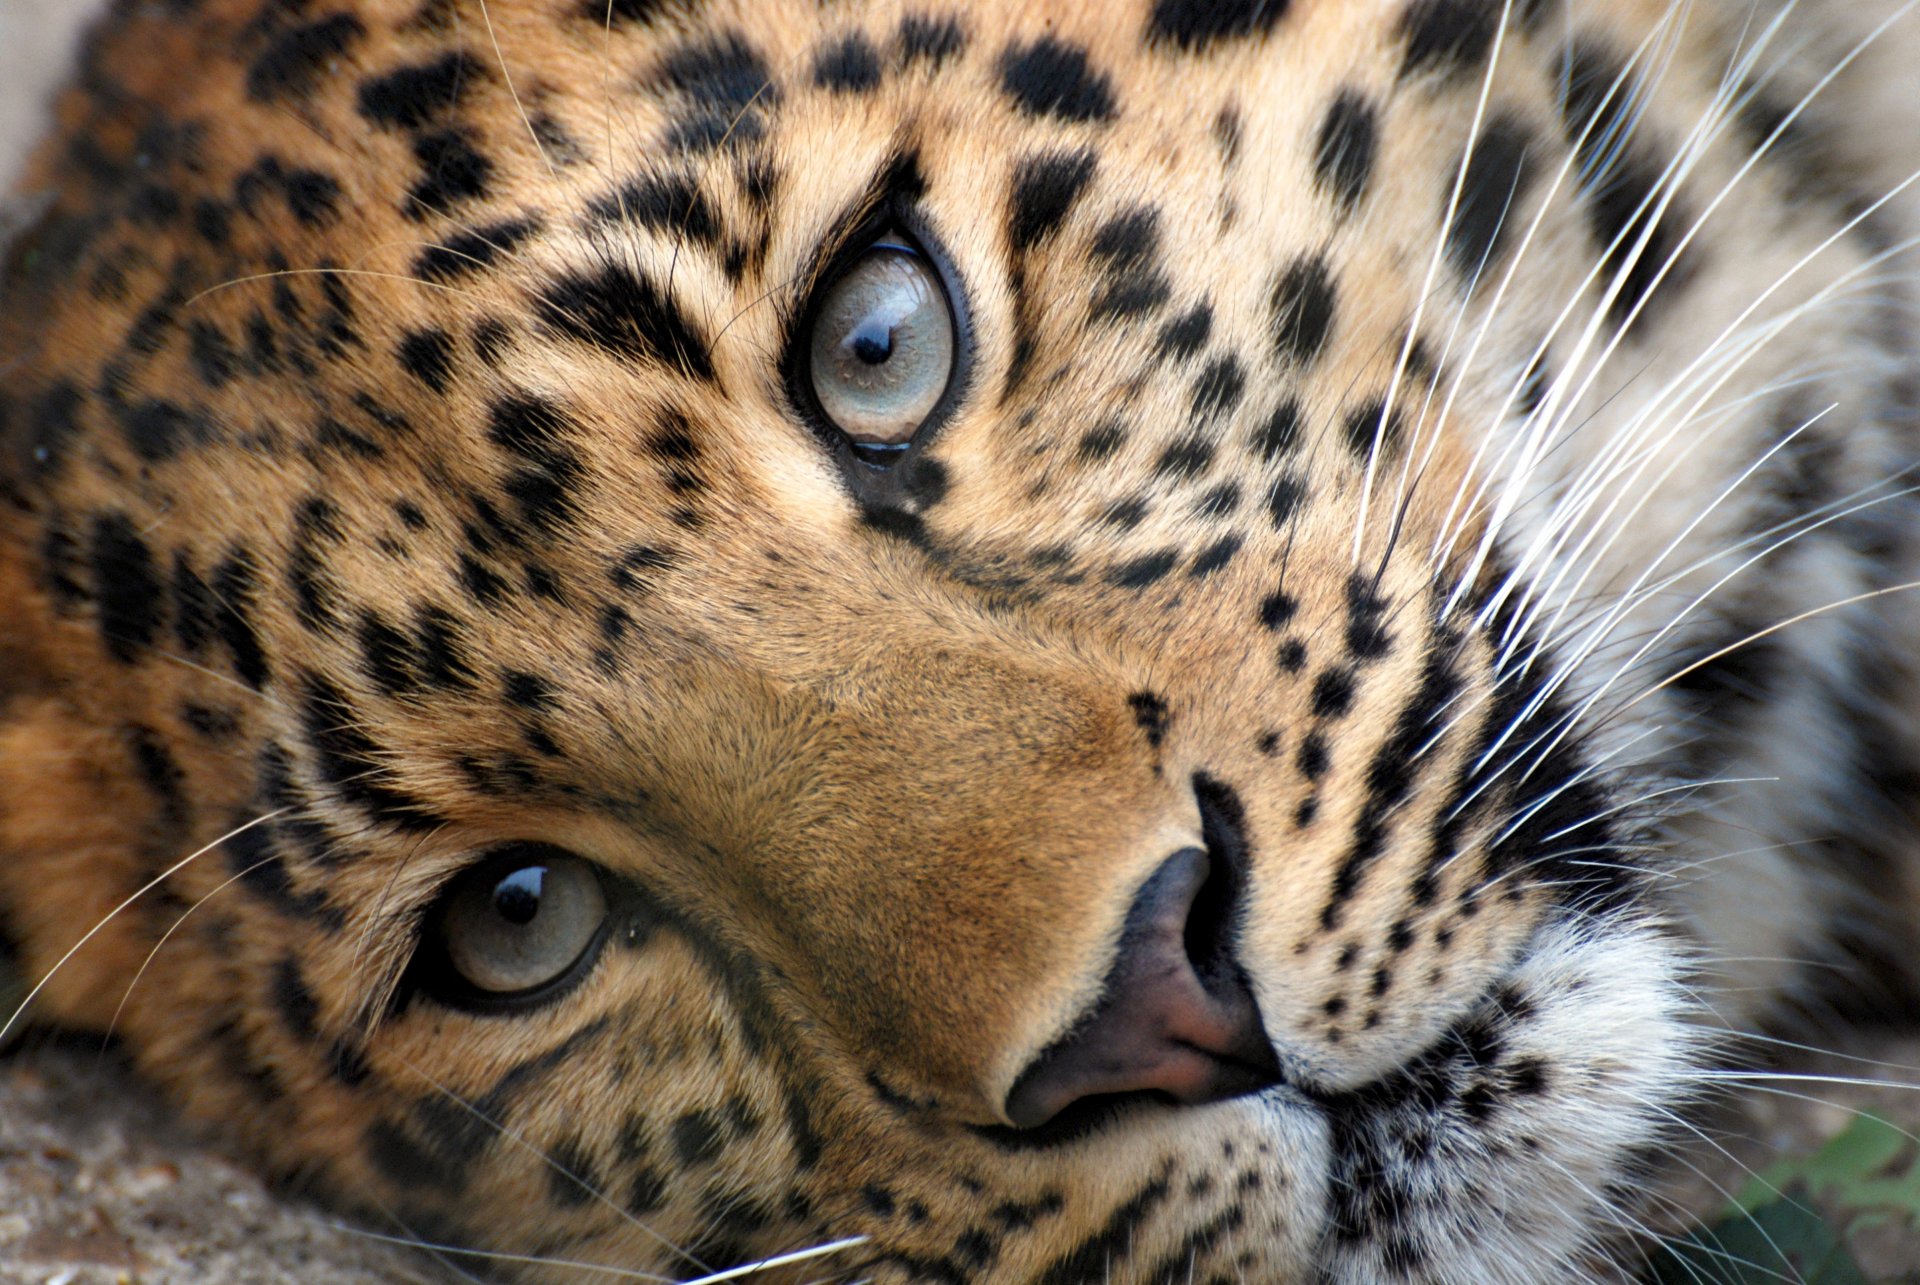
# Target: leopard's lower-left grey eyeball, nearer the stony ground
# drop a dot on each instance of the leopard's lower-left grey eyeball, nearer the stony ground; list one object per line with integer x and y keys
{"x": 521, "y": 921}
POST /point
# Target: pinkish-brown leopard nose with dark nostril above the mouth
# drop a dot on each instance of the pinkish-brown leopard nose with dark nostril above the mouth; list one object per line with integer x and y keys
{"x": 1176, "y": 1017}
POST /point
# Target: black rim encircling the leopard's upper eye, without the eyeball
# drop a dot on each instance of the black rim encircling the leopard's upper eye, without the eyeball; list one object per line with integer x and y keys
{"x": 901, "y": 228}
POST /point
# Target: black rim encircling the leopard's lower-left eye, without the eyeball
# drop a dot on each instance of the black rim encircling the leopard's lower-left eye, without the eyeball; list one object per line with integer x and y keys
{"x": 433, "y": 975}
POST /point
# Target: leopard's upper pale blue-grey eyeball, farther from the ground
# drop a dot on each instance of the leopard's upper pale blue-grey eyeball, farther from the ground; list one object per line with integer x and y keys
{"x": 882, "y": 347}
